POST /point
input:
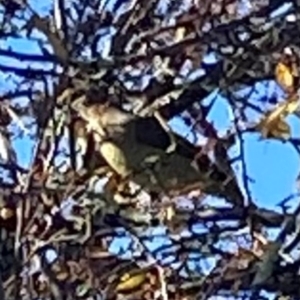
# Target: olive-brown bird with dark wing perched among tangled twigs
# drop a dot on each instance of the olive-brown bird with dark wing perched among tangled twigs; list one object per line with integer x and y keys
{"x": 135, "y": 148}
